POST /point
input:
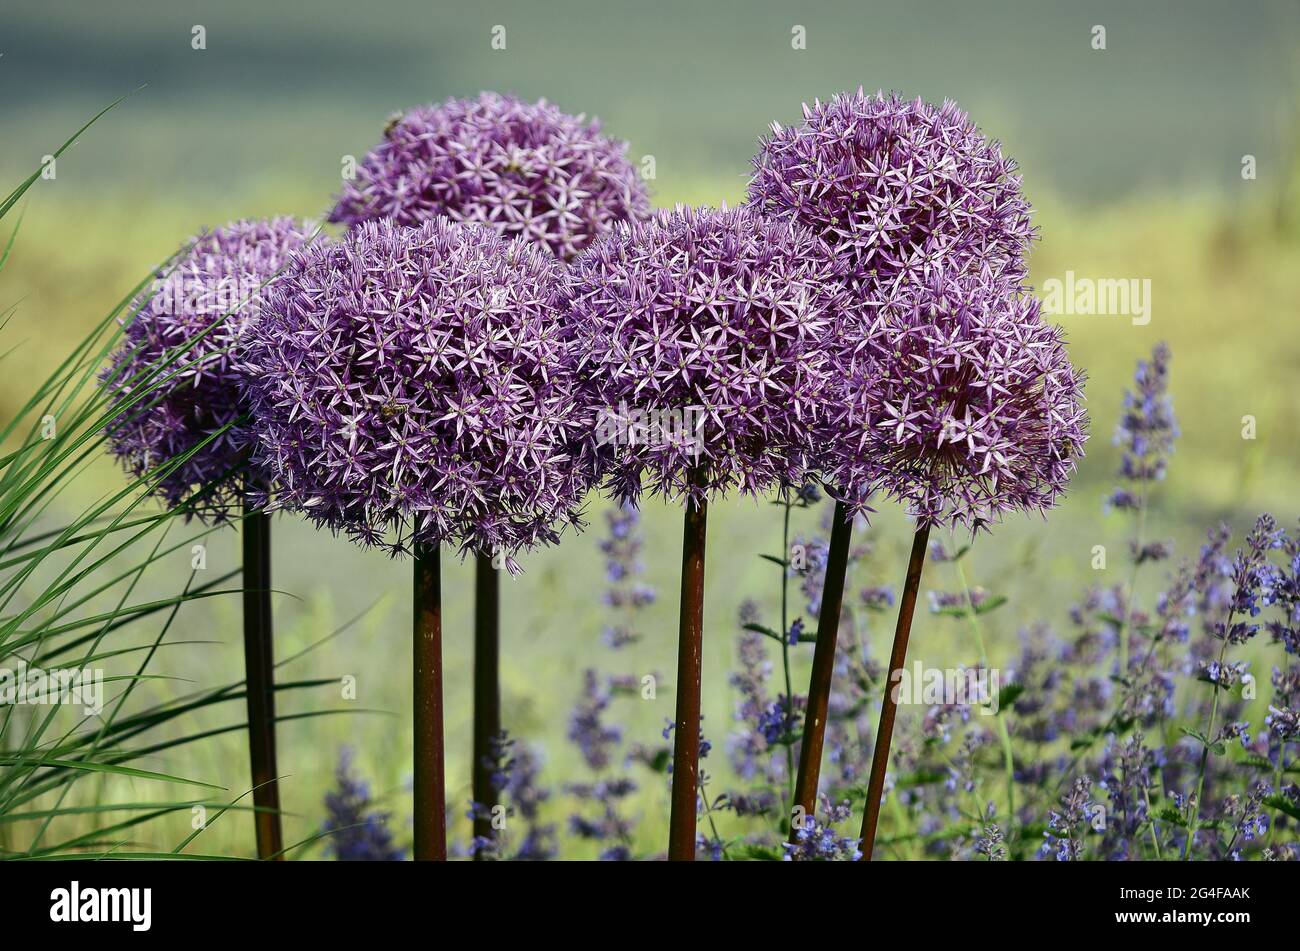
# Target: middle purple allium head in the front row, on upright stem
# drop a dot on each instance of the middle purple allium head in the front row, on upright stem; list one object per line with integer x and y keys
{"x": 703, "y": 337}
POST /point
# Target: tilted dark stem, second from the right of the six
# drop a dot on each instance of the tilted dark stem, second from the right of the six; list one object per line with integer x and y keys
{"x": 824, "y": 665}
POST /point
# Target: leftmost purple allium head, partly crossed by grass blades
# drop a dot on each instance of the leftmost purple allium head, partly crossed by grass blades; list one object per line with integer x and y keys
{"x": 215, "y": 290}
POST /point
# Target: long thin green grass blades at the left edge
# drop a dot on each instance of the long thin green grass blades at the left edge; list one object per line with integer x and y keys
{"x": 68, "y": 605}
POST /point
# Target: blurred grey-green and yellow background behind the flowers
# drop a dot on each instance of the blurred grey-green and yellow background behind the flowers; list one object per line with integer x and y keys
{"x": 1132, "y": 155}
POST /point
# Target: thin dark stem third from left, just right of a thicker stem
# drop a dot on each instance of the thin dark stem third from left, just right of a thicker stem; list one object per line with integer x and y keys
{"x": 487, "y": 693}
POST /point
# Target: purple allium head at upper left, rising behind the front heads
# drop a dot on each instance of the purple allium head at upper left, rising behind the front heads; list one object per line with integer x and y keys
{"x": 528, "y": 171}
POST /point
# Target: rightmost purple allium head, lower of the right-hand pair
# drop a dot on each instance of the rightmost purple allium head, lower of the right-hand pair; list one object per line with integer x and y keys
{"x": 960, "y": 402}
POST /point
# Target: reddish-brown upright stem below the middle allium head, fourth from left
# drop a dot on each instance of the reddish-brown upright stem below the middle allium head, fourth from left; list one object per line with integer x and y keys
{"x": 686, "y": 748}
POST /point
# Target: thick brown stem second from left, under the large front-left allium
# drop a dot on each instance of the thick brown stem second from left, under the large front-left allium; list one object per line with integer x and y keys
{"x": 431, "y": 801}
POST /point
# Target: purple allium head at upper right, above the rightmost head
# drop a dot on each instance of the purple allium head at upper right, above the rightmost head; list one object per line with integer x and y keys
{"x": 900, "y": 189}
